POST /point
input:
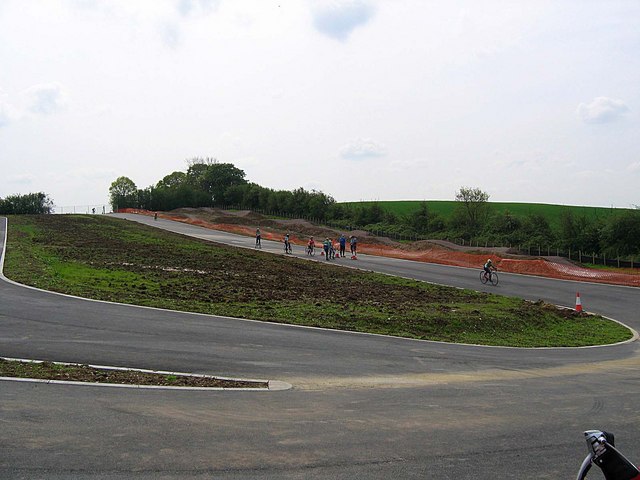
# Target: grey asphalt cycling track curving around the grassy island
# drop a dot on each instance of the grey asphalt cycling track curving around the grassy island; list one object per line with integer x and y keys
{"x": 361, "y": 407}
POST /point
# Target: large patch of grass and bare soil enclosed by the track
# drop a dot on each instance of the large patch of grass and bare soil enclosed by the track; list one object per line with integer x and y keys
{"x": 110, "y": 259}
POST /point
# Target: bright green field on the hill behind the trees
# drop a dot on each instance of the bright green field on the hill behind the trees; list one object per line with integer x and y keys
{"x": 445, "y": 208}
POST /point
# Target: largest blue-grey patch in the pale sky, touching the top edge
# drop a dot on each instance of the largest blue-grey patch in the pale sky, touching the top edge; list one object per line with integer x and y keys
{"x": 338, "y": 18}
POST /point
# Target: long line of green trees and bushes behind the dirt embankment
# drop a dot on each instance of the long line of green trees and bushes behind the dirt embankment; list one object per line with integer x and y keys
{"x": 208, "y": 183}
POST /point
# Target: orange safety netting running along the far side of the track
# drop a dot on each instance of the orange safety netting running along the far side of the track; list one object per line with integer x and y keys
{"x": 539, "y": 267}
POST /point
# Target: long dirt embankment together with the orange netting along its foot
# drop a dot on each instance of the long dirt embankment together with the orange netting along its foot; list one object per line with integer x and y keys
{"x": 245, "y": 222}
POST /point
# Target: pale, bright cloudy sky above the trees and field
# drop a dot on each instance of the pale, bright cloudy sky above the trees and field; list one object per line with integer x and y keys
{"x": 531, "y": 101}
